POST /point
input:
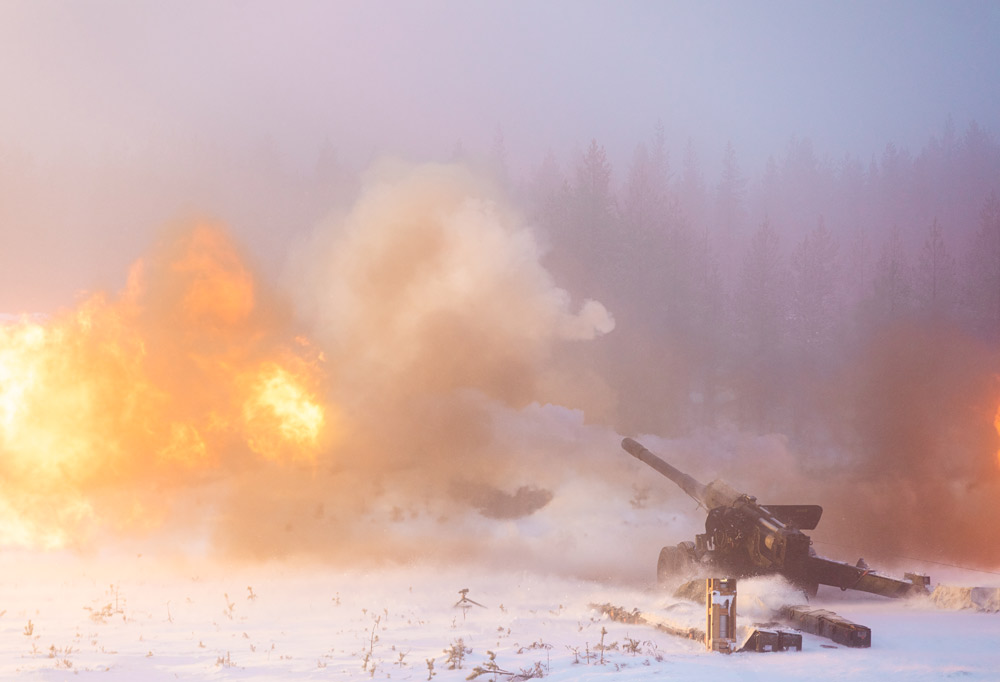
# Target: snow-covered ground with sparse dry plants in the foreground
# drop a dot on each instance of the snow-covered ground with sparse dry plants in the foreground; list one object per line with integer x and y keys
{"x": 64, "y": 617}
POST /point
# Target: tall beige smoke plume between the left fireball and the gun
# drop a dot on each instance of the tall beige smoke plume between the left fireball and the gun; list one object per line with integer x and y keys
{"x": 436, "y": 318}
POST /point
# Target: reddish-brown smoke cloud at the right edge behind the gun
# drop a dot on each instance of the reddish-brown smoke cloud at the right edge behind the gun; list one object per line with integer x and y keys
{"x": 922, "y": 476}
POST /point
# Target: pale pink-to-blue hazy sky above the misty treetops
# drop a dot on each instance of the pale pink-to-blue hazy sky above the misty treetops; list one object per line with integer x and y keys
{"x": 415, "y": 78}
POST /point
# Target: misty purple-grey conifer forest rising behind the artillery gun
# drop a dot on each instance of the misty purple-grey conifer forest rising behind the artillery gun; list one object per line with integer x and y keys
{"x": 752, "y": 298}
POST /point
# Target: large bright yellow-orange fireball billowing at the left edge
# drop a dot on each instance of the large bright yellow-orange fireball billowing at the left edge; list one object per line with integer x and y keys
{"x": 186, "y": 371}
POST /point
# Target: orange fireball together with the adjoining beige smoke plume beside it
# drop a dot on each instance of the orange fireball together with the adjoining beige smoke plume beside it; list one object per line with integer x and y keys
{"x": 197, "y": 406}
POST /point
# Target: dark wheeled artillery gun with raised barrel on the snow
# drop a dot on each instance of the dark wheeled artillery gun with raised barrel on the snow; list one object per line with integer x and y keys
{"x": 743, "y": 538}
